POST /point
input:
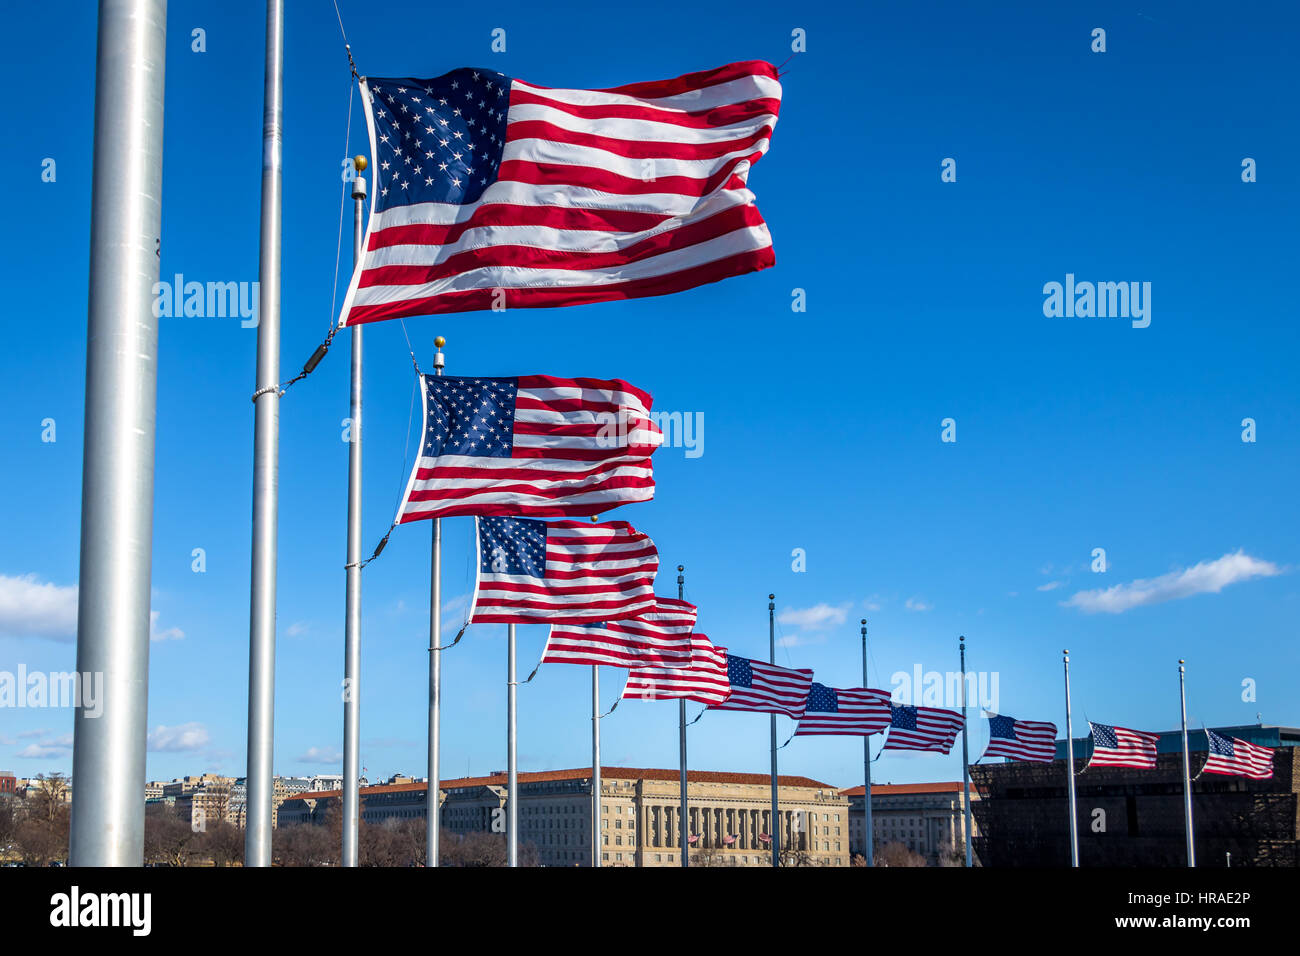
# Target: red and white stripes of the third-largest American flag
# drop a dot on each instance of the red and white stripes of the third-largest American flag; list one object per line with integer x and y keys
{"x": 593, "y": 573}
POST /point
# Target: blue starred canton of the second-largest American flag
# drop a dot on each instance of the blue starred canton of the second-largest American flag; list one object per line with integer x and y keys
{"x": 470, "y": 417}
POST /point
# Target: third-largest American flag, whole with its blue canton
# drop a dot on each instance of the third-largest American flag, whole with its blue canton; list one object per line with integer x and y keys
{"x": 538, "y": 573}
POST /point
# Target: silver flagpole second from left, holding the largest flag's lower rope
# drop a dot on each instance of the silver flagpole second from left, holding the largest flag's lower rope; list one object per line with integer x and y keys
{"x": 266, "y": 464}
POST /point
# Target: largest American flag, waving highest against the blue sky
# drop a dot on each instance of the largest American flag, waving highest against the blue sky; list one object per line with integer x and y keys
{"x": 493, "y": 193}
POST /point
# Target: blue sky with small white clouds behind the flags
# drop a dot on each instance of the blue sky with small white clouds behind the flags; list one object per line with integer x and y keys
{"x": 822, "y": 430}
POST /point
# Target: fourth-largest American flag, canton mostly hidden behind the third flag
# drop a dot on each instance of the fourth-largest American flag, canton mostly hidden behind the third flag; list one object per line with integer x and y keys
{"x": 660, "y": 635}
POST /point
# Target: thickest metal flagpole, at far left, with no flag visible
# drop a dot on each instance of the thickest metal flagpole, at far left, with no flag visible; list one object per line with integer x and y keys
{"x": 122, "y": 401}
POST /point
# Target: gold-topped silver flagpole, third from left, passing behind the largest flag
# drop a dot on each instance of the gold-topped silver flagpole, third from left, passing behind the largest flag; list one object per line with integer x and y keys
{"x": 353, "y": 602}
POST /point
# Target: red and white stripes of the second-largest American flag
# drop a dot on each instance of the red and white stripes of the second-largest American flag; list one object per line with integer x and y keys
{"x": 580, "y": 447}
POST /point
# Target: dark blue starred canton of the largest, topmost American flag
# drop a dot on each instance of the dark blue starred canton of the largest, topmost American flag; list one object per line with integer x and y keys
{"x": 439, "y": 141}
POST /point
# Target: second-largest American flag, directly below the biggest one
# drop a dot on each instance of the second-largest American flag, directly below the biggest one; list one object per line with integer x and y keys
{"x": 534, "y": 445}
